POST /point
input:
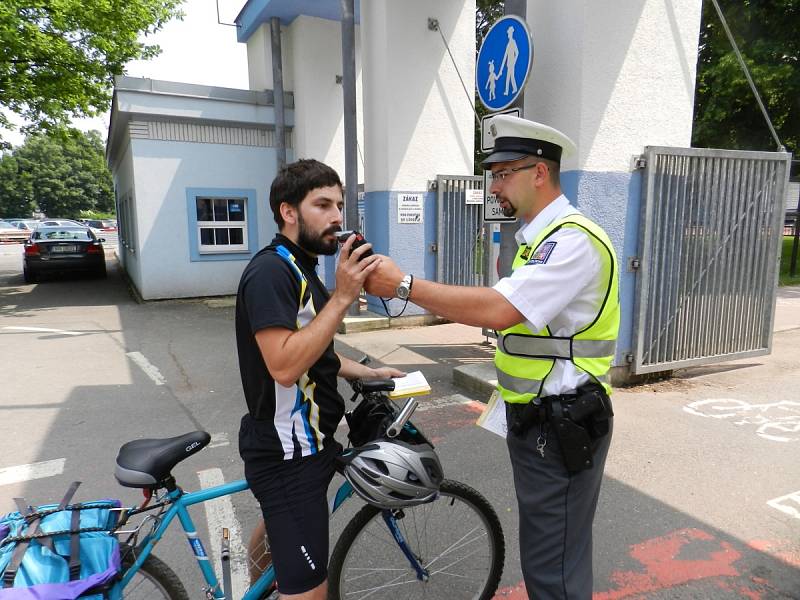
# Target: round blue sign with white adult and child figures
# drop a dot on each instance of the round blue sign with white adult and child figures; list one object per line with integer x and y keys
{"x": 504, "y": 62}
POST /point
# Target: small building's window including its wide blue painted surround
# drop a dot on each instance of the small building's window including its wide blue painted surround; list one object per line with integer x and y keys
{"x": 222, "y": 222}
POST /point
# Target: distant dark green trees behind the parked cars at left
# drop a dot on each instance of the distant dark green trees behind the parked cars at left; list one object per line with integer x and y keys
{"x": 59, "y": 174}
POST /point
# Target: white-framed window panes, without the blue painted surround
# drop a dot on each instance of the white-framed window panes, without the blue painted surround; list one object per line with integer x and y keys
{"x": 221, "y": 224}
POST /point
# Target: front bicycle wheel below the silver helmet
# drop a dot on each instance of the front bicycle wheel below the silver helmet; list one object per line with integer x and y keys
{"x": 457, "y": 538}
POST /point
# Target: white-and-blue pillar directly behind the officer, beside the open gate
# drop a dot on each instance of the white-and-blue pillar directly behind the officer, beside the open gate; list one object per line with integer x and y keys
{"x": 615, "y": 77}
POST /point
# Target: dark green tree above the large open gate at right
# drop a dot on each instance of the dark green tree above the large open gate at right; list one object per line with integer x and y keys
{"x": 726, "y": 112}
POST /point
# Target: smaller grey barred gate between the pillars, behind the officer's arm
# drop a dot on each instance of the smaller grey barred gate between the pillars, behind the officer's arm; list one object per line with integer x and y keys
{"x": 459, "y": 243}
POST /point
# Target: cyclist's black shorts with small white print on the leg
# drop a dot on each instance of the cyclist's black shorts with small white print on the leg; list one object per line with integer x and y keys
{"x": 294, "y": 503}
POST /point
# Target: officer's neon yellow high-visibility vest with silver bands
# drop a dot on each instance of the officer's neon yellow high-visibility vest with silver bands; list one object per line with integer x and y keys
{"x": 525, "y": 358}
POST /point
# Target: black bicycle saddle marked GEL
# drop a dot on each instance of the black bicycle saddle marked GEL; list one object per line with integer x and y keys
{"x": 146, "y": 463}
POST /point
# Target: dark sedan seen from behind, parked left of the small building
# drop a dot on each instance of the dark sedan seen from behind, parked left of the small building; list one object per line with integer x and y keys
{"x": 66, "y": 249}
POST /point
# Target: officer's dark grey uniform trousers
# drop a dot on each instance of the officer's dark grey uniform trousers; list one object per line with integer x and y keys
{"x": 556, "y": 510}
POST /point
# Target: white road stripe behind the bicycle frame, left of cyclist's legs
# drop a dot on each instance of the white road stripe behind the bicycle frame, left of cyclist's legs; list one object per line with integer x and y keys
{"x": 219, "y": 513}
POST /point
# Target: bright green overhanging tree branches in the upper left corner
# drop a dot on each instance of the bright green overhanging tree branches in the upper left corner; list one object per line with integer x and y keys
{"x": 58, "y": 58}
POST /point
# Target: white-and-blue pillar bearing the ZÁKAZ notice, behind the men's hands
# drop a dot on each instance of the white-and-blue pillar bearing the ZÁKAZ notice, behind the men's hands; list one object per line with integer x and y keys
{"x": 418, "y": 122}
